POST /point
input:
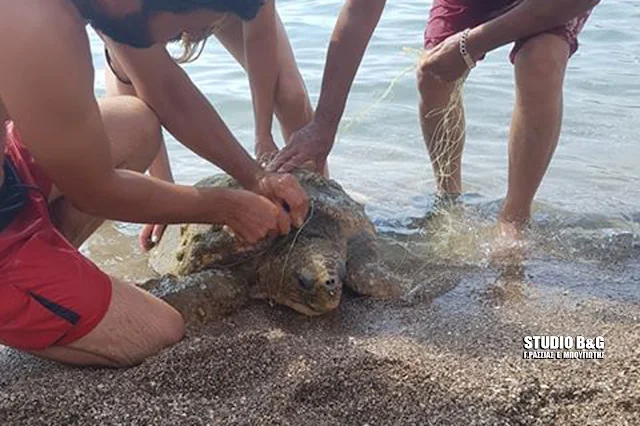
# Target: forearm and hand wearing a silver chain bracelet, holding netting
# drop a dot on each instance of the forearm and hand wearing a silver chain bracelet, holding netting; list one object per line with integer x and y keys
{"x": 526, "y": 18}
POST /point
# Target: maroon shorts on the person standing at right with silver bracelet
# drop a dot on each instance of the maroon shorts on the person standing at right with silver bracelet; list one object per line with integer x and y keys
{"x": 449, "y": 17}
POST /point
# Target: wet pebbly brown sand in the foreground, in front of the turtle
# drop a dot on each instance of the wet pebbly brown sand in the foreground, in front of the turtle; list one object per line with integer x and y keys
{"x": 450, "y": 353}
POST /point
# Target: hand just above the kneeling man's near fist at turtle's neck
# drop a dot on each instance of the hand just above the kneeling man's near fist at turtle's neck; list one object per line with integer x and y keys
{"x": 285, "y": 191}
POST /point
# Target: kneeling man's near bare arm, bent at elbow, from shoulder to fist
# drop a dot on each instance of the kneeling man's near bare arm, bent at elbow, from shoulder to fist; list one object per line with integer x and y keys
{"x": 46, "y": 83}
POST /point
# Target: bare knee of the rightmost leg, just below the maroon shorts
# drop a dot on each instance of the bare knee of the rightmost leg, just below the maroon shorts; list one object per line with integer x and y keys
{"x": 543, "y": 58}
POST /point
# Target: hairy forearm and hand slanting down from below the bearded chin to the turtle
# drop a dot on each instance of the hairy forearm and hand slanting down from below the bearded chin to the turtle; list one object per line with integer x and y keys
{"x": 189, "y": 116}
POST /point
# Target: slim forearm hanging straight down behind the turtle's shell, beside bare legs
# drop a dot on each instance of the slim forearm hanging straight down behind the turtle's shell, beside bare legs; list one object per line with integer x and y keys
{"x": 261, "y": 59}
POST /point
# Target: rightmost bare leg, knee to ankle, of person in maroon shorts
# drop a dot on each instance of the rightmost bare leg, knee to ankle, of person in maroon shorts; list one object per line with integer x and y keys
{"x": 540, "y": 67}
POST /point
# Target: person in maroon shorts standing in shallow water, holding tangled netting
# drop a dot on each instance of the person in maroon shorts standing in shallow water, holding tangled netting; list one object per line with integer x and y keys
{"x": 459, "y": 33}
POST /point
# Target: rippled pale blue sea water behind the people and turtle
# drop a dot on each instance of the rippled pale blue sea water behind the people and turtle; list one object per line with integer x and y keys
{"x": 588, "y": 206}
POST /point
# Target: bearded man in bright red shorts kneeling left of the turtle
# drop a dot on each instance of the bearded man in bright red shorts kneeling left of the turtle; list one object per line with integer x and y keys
{"x": 70, "y": 160}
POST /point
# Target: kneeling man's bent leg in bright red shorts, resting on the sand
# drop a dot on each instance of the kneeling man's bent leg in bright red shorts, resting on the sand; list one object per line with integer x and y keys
{"x": 57, "y": 304}
